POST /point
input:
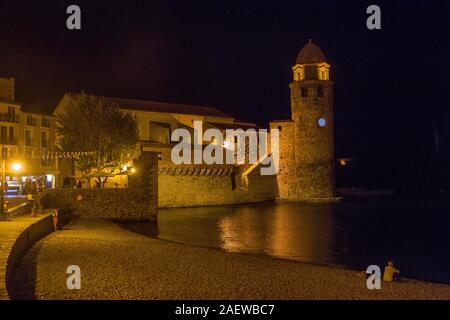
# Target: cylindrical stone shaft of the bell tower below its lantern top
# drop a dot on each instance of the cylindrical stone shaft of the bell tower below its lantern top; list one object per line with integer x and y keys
{"x": 314, "y": 155}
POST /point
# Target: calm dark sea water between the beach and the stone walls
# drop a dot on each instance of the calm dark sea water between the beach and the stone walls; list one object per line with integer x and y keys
{"x": 350, "y": 234}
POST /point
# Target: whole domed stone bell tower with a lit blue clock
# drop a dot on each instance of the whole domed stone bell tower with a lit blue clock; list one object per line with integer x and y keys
{"x": 312, "y": 114}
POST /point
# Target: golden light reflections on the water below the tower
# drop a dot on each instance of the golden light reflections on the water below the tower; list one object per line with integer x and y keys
{"x": 282, "y": 232}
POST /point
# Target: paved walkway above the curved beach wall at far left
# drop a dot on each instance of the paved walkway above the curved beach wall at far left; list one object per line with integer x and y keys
{"x": 9, "y": 231}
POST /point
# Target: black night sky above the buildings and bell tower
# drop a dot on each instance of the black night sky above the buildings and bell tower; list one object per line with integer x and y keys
{"x": 391, "y": 85}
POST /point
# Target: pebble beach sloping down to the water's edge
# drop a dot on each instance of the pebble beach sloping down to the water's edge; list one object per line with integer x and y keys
{"x": 118, "y": 264}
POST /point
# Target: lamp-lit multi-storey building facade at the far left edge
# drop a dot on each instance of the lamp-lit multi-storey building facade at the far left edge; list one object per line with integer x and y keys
{"x": 28, "y": 136}
